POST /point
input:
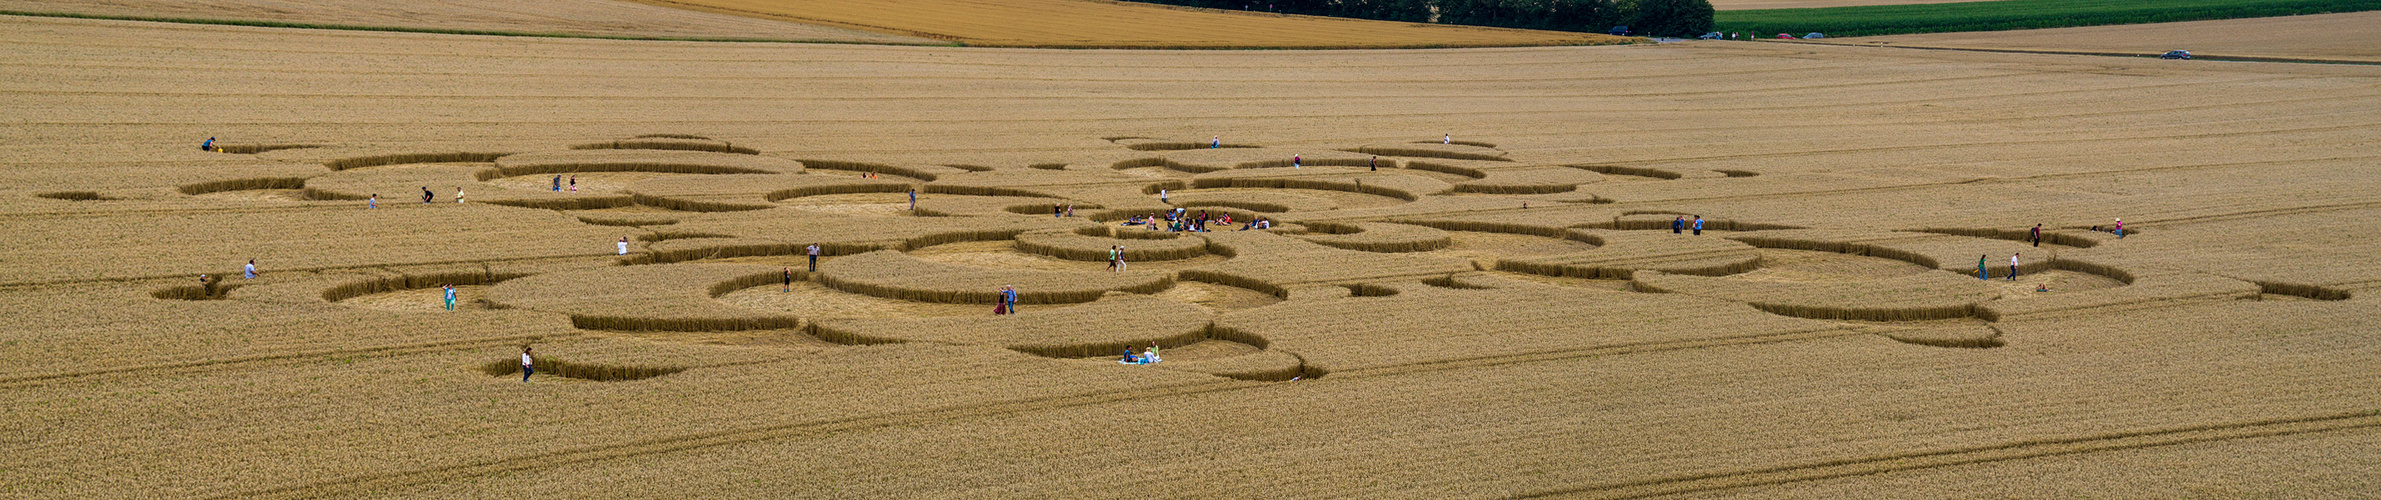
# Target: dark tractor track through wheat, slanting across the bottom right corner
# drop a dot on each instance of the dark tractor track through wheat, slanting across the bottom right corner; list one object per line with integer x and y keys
{"x": 1973, "y": 456}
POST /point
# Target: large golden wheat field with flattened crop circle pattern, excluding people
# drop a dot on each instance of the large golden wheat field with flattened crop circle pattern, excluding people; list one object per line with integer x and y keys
{"x": 1396, "y": 335}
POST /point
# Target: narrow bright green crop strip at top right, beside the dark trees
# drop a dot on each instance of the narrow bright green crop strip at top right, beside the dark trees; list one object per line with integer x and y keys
{"x": 1885, "y": 20}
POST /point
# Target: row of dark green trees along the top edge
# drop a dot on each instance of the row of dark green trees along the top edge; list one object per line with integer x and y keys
{"x": 1644, "y": 18}
